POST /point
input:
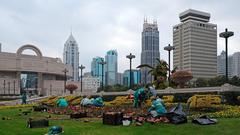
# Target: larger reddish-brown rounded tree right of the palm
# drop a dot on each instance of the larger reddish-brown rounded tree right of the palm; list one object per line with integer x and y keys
{"x": 181, "y": 77}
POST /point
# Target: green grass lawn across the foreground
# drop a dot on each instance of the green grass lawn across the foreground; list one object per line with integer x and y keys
{"x": 17, "y": 126}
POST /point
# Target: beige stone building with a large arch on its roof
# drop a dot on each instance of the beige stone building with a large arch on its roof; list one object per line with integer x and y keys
{"x": 35, "y": 74}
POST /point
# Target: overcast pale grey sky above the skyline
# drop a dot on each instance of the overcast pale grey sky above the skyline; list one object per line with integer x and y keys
{"x": 101, "y": 25}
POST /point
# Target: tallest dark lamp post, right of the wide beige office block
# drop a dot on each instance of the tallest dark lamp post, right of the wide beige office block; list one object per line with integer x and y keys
{"x": 226, "y": 35}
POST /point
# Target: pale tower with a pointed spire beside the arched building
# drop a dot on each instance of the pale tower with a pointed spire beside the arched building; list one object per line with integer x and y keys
{"x": 71, "y": 56}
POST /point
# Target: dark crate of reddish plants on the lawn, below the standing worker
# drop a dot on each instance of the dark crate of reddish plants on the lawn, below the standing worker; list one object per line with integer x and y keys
{"x": 112, "y": 118}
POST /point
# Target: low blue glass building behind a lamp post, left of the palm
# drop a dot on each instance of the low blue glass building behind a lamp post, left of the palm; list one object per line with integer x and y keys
{"x": 136, "y": 77}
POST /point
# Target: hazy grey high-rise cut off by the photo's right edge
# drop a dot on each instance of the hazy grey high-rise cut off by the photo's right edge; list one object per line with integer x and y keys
{"x": 236, "y": 64}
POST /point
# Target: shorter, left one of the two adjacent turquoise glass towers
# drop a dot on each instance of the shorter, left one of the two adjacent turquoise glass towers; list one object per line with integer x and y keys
{"x": 96, "y": 68}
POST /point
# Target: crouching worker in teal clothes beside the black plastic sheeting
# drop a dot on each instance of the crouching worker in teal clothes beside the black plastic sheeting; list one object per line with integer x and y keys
{"x": 157, "y": 108}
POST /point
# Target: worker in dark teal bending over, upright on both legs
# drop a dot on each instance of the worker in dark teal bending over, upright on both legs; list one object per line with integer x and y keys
{"x": 139, "y": 97}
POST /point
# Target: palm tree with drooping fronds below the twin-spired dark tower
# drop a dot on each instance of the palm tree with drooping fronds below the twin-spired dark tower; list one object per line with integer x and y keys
{"x": 159, "y": 73}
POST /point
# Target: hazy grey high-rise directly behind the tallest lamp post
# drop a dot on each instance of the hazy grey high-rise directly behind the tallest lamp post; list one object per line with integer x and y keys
{"x": 221, "y": 65}
